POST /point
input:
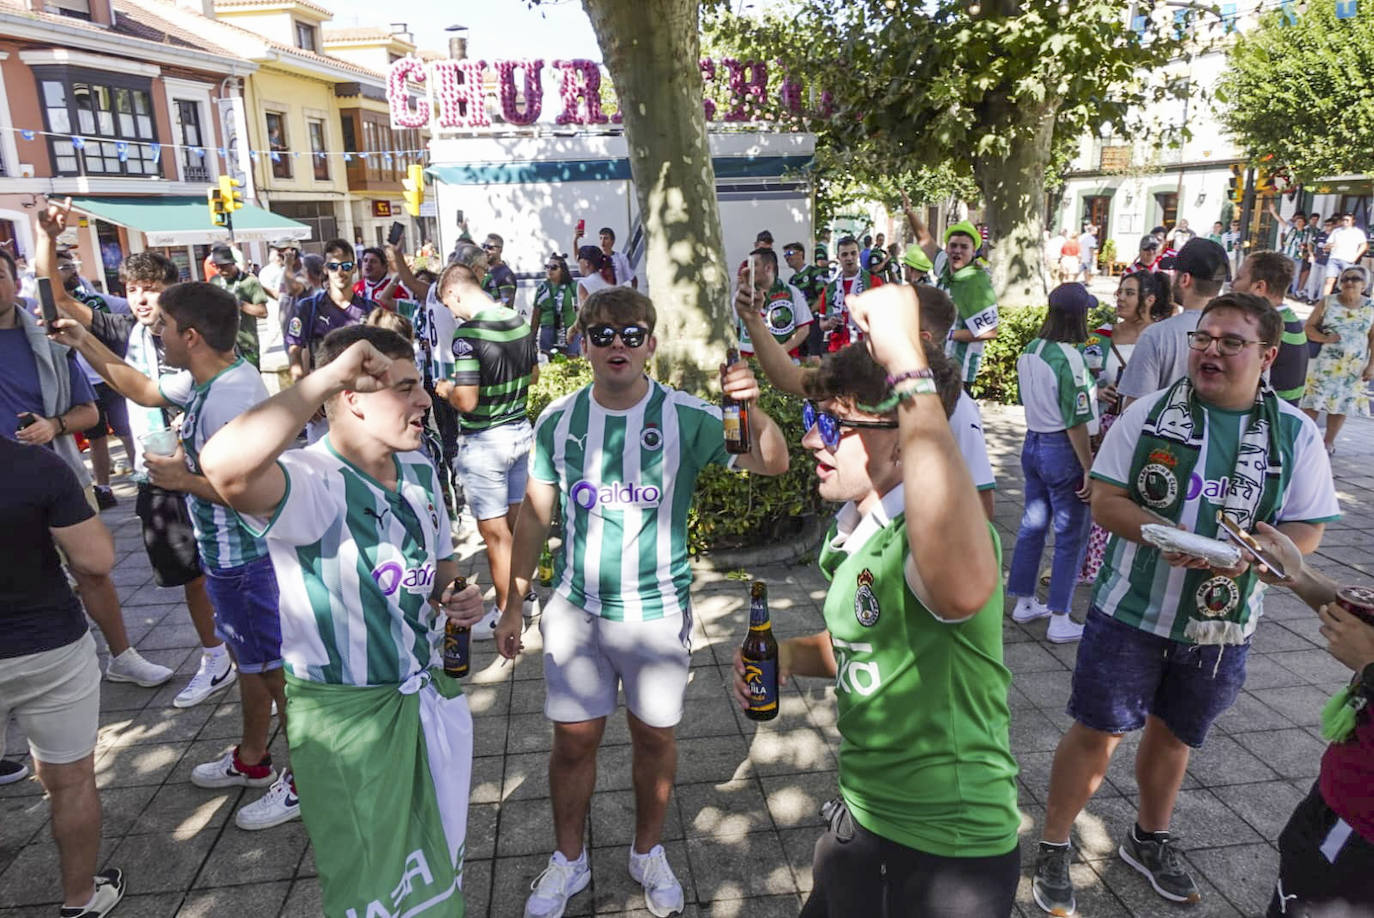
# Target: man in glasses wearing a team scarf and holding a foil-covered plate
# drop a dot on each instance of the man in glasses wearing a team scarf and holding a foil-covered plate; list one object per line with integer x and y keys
{"x": 1167, "y": 636}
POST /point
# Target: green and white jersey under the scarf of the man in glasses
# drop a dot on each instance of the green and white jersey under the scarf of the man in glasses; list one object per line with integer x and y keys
{"x": 1136, "y": 585}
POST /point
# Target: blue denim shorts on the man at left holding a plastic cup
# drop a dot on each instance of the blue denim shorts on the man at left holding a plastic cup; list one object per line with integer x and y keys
{"x": 247, "y": 614}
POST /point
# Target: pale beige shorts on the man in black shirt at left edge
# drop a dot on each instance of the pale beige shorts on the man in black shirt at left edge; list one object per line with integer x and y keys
{"x": 56, "y": 697}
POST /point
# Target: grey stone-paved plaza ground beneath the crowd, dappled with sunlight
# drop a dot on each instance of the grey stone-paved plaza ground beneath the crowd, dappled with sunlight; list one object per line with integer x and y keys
{"x": 745, "y": 813}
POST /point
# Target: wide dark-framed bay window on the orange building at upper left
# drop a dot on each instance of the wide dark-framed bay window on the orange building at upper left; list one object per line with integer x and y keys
{"x": 102, "y": 123}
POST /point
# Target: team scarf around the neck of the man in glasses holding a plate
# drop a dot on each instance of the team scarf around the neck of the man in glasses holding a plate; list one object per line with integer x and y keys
{"x": 1171, "y": 443}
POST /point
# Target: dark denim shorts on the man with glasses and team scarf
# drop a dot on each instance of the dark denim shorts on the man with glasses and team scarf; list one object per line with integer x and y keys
{"x": 1125, "y": 674}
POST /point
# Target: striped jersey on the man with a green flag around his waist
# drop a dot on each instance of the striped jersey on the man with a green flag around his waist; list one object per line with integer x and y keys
{"x": 355, "y": 566}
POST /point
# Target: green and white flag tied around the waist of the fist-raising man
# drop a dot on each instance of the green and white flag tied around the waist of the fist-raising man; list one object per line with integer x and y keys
{"x": 384, "y": 776}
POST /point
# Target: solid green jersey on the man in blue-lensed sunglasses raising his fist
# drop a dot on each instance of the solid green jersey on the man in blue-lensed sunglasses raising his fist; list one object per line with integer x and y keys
{"x": 925, "y": 755}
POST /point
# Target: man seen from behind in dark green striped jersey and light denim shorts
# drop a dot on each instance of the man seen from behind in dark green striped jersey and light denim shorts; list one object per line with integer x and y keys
{"x": 495, "y": 363}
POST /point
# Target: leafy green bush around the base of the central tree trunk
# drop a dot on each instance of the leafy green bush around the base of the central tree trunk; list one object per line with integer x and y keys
{"x": 732, "y": 509}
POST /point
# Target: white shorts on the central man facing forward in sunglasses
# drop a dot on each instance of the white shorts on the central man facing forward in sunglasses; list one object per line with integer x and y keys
{"x": 589, "y": 658}
